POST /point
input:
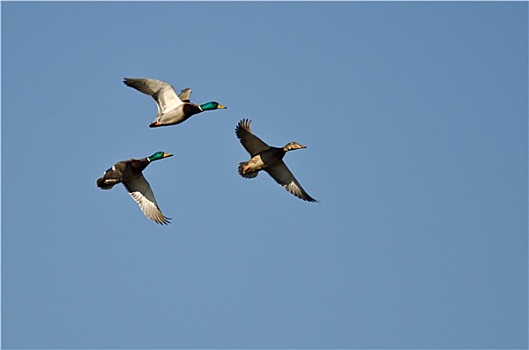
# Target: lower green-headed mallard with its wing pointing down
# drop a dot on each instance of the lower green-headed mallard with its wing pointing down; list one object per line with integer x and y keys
{"x": 129, "y": 172}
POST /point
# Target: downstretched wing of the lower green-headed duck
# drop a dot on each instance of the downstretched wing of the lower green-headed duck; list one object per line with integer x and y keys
{"x": 140, "y": 190}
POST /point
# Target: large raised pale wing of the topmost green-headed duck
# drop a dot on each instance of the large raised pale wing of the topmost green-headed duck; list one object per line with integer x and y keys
{"x": 162, "y": 92}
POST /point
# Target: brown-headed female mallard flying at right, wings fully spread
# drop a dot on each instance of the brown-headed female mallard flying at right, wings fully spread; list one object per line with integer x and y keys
{"x": 269, "y": 159}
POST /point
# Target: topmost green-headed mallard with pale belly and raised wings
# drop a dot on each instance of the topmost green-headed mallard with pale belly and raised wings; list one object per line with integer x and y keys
{"x": 172, "y": 109}
